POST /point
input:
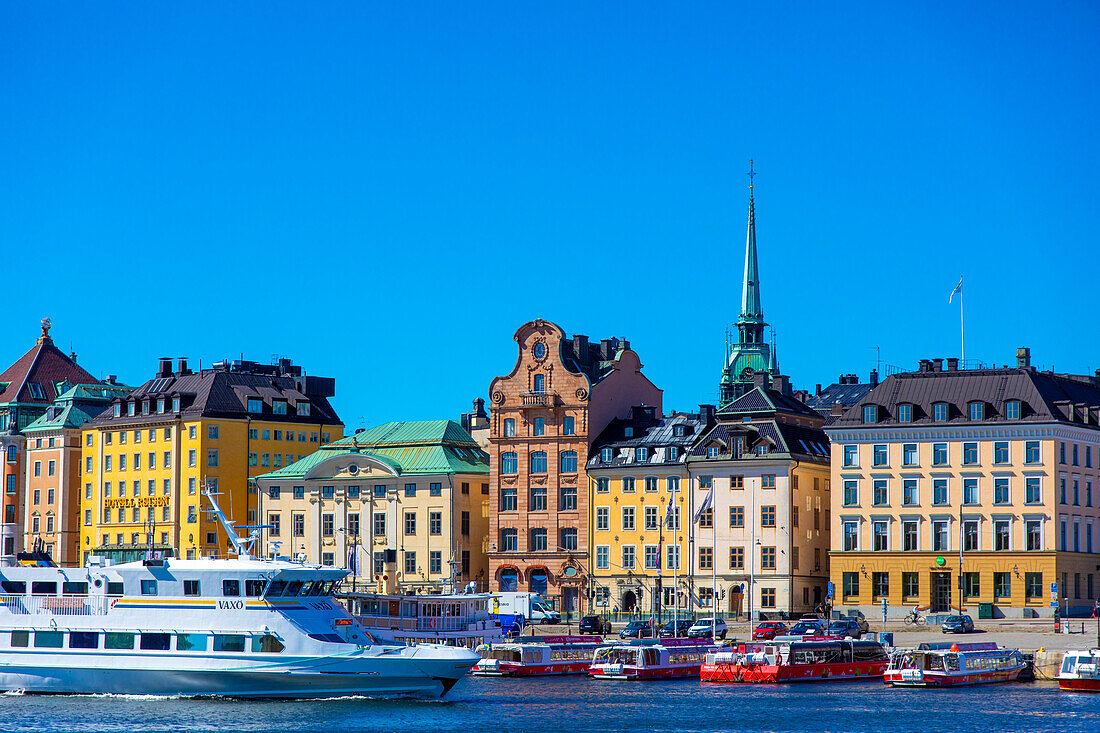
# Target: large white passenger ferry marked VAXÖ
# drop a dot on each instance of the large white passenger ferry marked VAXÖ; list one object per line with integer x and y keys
{"x": 243, "y": 627}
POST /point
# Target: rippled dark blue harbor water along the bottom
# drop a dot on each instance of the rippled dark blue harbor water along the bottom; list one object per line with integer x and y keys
{"x": 544, "y": 705}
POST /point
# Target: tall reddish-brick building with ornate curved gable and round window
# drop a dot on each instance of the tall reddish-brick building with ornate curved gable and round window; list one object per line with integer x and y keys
{"x": 559, "y": 397}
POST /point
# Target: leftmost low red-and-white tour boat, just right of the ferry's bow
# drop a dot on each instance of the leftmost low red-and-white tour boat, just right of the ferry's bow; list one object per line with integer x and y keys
{"x": 531, "y": 657}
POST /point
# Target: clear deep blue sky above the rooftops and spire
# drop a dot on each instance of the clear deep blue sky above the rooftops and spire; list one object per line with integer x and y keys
{"x": 386, "y": 194}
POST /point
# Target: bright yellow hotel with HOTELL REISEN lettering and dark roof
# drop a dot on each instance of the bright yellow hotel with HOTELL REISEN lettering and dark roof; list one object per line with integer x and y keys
{"x": 147, "y": 460}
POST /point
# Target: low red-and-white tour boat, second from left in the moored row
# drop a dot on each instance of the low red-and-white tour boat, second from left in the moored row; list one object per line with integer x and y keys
{"x": 652, "y": 659}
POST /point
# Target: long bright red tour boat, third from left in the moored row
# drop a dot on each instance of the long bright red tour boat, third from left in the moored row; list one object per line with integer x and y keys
{"x": 811, "y": 661}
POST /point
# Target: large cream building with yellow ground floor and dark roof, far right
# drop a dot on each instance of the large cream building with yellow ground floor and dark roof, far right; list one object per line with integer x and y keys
{"x": 1000, "y": 464}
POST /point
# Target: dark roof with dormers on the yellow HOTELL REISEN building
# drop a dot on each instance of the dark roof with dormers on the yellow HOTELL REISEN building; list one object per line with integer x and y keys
{"x": 221, "y": 393}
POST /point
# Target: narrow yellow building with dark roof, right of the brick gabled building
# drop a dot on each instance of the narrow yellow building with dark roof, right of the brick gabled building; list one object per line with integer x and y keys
{"x": 642, "y": 552}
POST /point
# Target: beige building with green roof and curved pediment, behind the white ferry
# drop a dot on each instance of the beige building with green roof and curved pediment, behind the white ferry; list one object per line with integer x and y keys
{"x": 397, "y": 505}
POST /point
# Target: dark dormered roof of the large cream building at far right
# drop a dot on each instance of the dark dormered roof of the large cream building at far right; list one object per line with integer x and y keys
{"x": 1044, "y": 397}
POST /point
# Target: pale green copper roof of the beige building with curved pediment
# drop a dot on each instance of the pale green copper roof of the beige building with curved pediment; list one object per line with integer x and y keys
{"x": 411, "y": 448}
